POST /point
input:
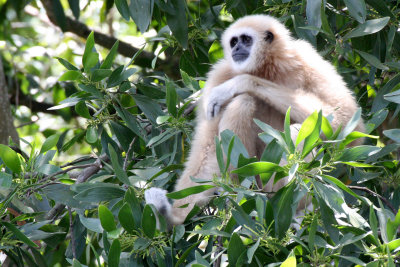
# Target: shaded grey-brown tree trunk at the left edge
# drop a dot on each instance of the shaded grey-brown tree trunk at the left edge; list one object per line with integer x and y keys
{"x": 7, "y": 128}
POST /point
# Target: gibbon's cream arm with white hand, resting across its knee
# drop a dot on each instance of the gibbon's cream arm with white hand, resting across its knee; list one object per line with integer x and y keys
{"x": 340, "y": 104}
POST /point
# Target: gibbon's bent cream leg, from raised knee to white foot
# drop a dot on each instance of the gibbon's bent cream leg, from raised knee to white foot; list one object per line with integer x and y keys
{"x": 202, "y": 162}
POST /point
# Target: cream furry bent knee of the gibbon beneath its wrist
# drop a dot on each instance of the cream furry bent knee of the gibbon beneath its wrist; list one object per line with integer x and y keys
{"x": 238, "y": 117}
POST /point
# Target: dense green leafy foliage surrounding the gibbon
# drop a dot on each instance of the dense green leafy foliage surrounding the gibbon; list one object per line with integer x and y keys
{"x": 138, "y": 126}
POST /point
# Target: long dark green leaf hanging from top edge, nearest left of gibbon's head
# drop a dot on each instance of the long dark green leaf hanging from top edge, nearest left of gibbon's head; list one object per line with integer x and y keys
{"x": 178, "y": 23}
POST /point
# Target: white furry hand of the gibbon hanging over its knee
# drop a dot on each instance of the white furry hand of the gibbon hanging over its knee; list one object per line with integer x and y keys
{"x": 219, "y": 95}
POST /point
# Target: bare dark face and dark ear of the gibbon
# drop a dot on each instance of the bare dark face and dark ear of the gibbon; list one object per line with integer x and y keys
{"x": 241, "y": 45}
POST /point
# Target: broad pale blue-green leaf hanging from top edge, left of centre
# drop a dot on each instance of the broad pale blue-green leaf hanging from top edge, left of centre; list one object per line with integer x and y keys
{"x": 141, "y": 12}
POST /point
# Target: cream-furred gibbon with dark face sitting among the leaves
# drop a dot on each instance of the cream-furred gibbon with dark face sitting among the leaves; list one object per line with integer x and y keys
{"x": 264, "y": 72}
